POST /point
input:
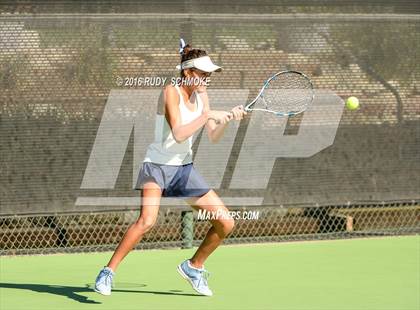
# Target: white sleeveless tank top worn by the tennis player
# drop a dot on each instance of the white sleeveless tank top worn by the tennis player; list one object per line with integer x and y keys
{"x": 165, "y": 150}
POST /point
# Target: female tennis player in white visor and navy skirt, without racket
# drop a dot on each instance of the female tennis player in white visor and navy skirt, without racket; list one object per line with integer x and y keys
{"x": 168, "y": 170}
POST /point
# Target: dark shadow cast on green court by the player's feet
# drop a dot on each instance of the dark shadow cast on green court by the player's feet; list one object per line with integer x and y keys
{"x": 71, "y": 291}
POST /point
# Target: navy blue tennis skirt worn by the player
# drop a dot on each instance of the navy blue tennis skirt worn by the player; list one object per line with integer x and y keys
{"x": 175, "y": 181}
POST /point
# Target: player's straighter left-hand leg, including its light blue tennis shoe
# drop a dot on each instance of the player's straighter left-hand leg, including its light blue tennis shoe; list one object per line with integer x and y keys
{"x": 151, "y": 194}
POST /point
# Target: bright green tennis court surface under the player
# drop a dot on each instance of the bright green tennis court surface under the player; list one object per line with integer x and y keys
{"x": 378, "y": 273}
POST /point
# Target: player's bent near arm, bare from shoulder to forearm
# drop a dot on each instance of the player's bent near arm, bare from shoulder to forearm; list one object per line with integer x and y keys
{"x": 173, "y": 116}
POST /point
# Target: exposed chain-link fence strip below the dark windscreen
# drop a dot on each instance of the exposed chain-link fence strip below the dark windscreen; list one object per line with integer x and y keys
{"x": 180, "y": 227}
